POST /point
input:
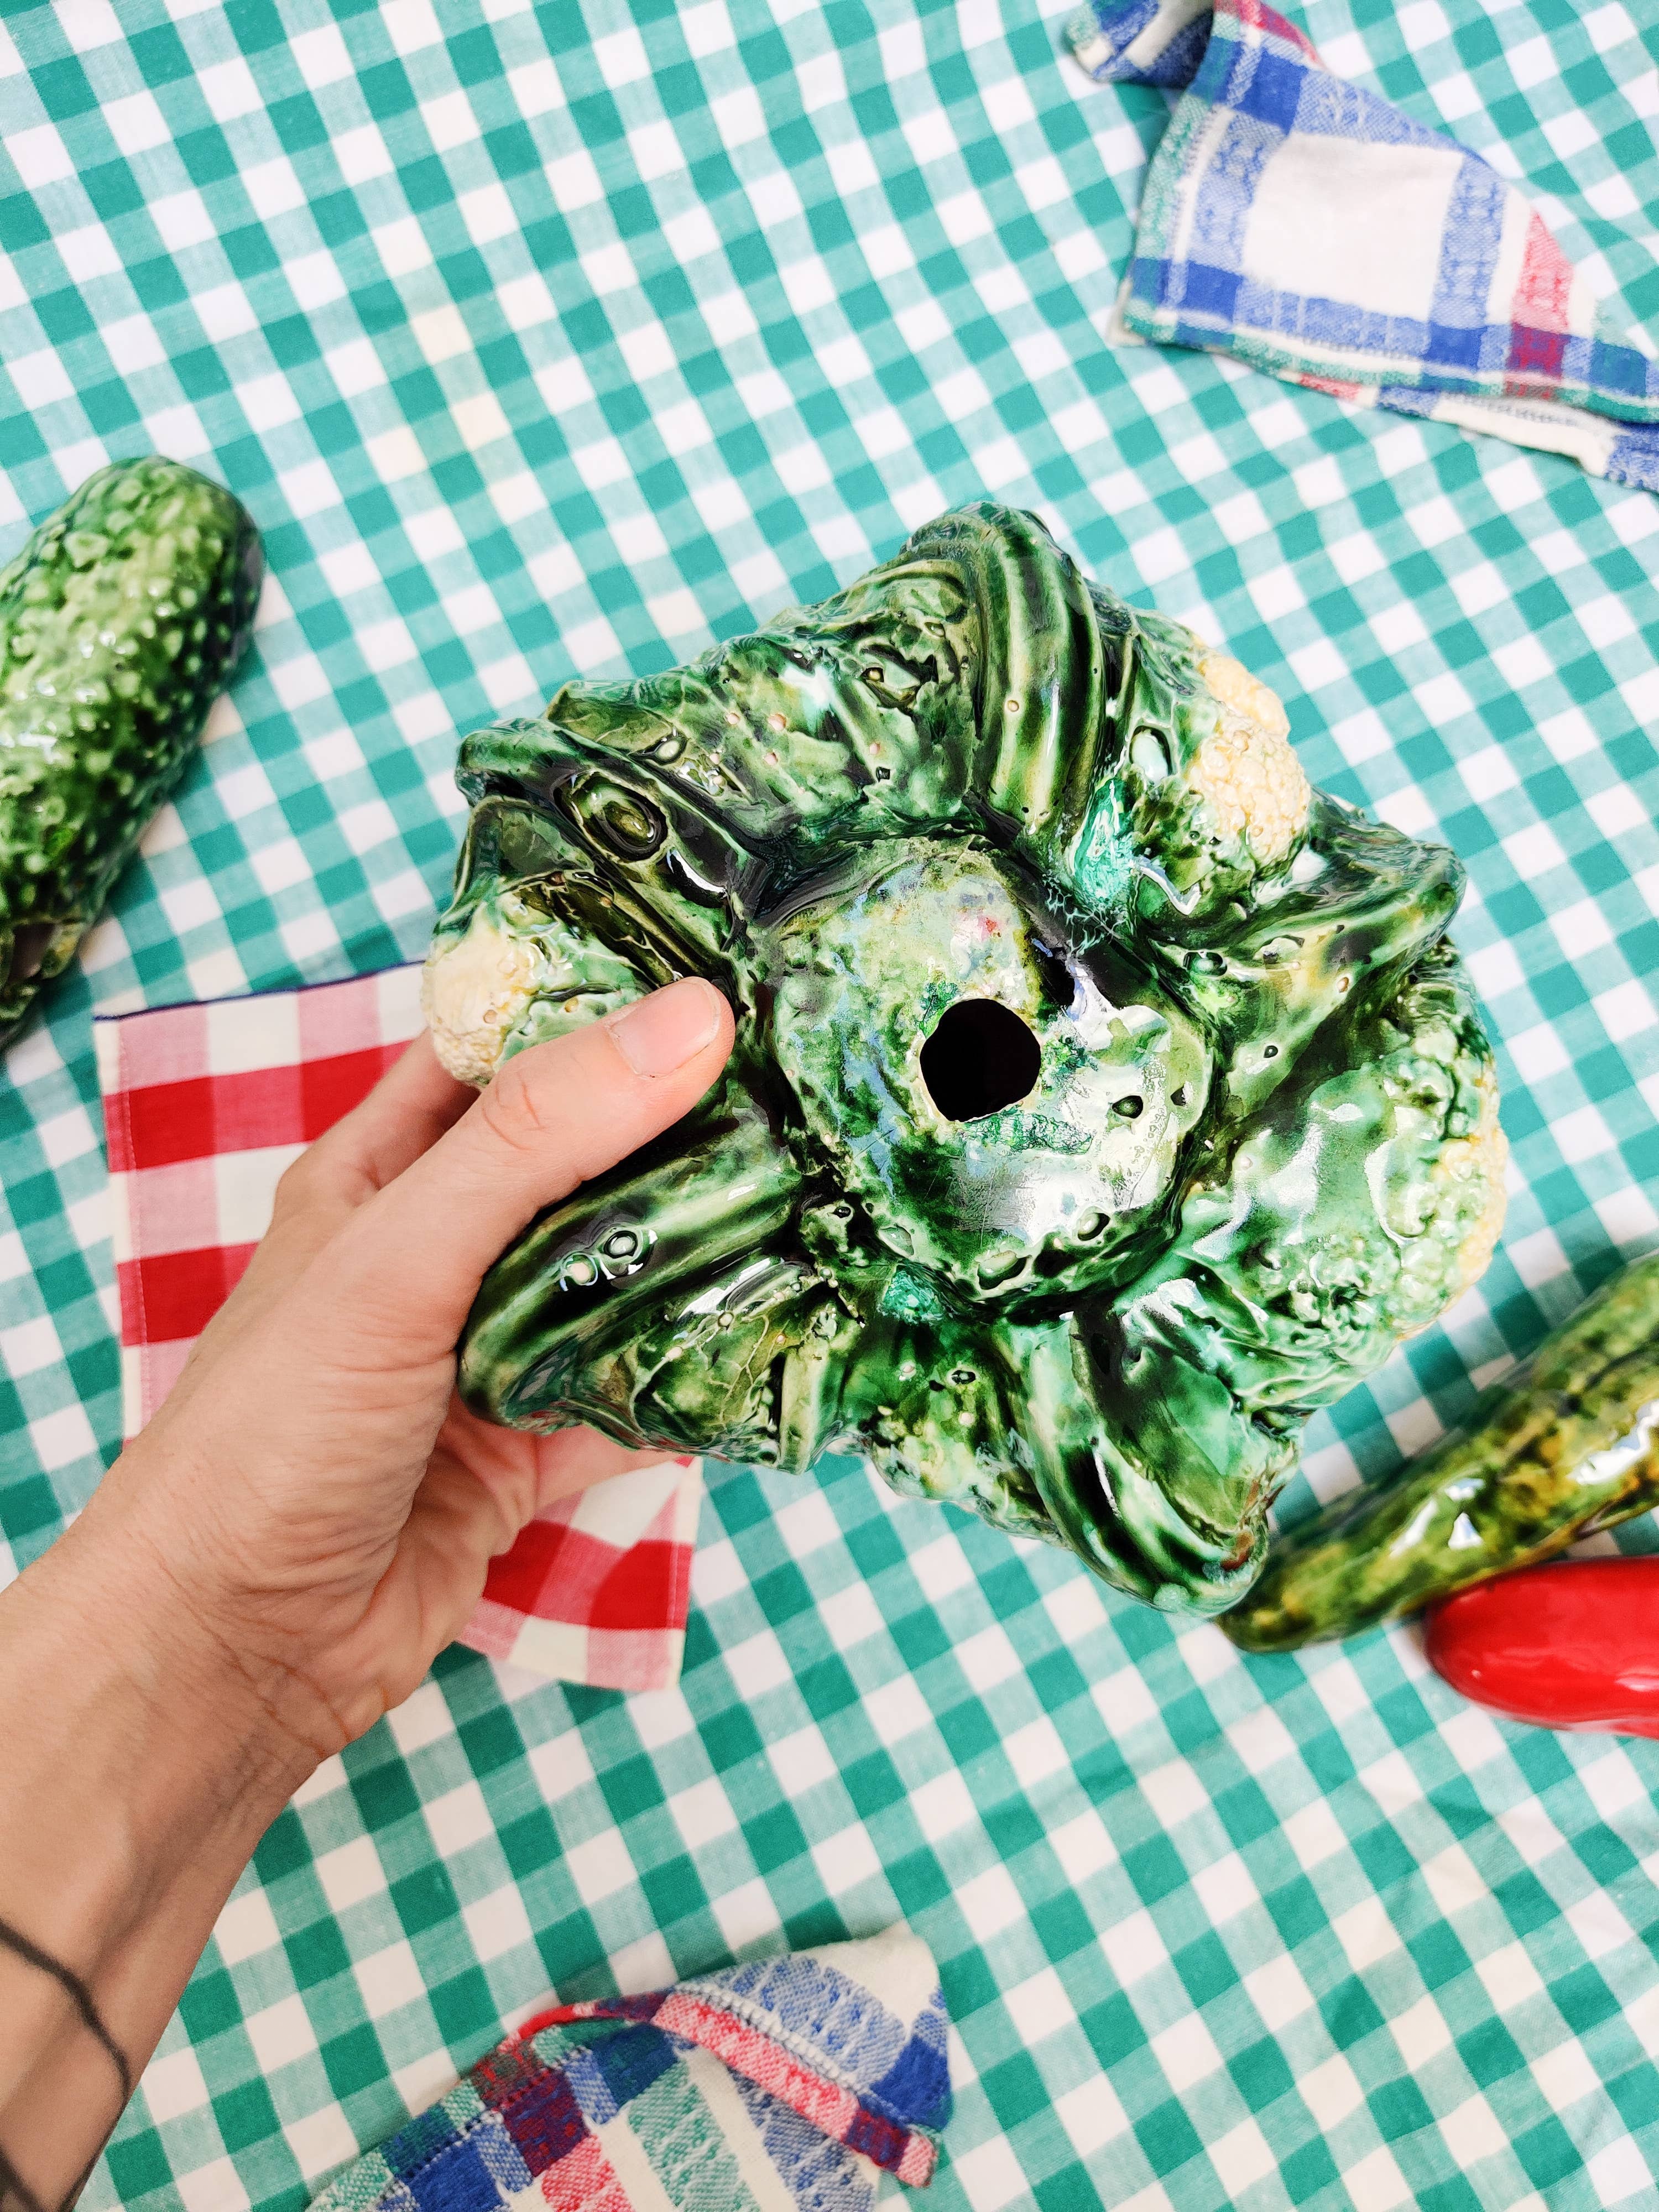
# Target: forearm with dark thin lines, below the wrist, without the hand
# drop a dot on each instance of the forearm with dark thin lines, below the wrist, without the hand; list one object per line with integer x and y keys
{"x": 138, "y": 1775}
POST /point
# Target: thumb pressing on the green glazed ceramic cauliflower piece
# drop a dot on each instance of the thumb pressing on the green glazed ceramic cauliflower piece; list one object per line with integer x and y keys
{"x": 406, "y": 1269}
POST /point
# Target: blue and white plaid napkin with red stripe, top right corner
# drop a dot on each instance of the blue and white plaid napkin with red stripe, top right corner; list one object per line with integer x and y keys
{"x": 1315, "y": 231}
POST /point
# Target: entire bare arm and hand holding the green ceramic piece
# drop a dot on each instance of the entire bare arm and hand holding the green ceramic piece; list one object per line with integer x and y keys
{"x": 278, "y": 1558}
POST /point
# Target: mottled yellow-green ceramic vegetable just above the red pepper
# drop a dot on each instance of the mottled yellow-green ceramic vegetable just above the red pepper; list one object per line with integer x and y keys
{"x": 1565, "y": 1446}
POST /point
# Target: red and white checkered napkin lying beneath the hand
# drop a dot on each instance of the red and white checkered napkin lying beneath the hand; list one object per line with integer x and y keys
{"x": 205, "y": 1107}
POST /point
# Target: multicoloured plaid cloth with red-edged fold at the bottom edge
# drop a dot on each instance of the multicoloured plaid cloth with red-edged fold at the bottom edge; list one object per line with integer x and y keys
{"x": 769, "y": 2087}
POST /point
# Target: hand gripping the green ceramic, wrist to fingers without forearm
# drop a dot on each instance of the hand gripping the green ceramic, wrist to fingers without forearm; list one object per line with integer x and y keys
{"x": 313, "y": 1492}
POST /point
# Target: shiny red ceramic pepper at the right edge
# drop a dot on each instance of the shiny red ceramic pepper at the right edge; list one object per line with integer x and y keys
{"x": 1561, "y": 1647}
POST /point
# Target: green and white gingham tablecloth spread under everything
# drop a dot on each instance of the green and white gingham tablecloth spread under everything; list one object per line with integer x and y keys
{"x": 570, "y": 337}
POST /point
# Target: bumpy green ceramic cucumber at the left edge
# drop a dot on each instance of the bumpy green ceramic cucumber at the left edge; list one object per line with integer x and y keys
{"x": 121, "y": 625}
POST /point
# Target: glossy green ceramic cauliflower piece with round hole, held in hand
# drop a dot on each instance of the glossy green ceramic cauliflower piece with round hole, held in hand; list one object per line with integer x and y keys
{"x": 1103, "y": 1103}
